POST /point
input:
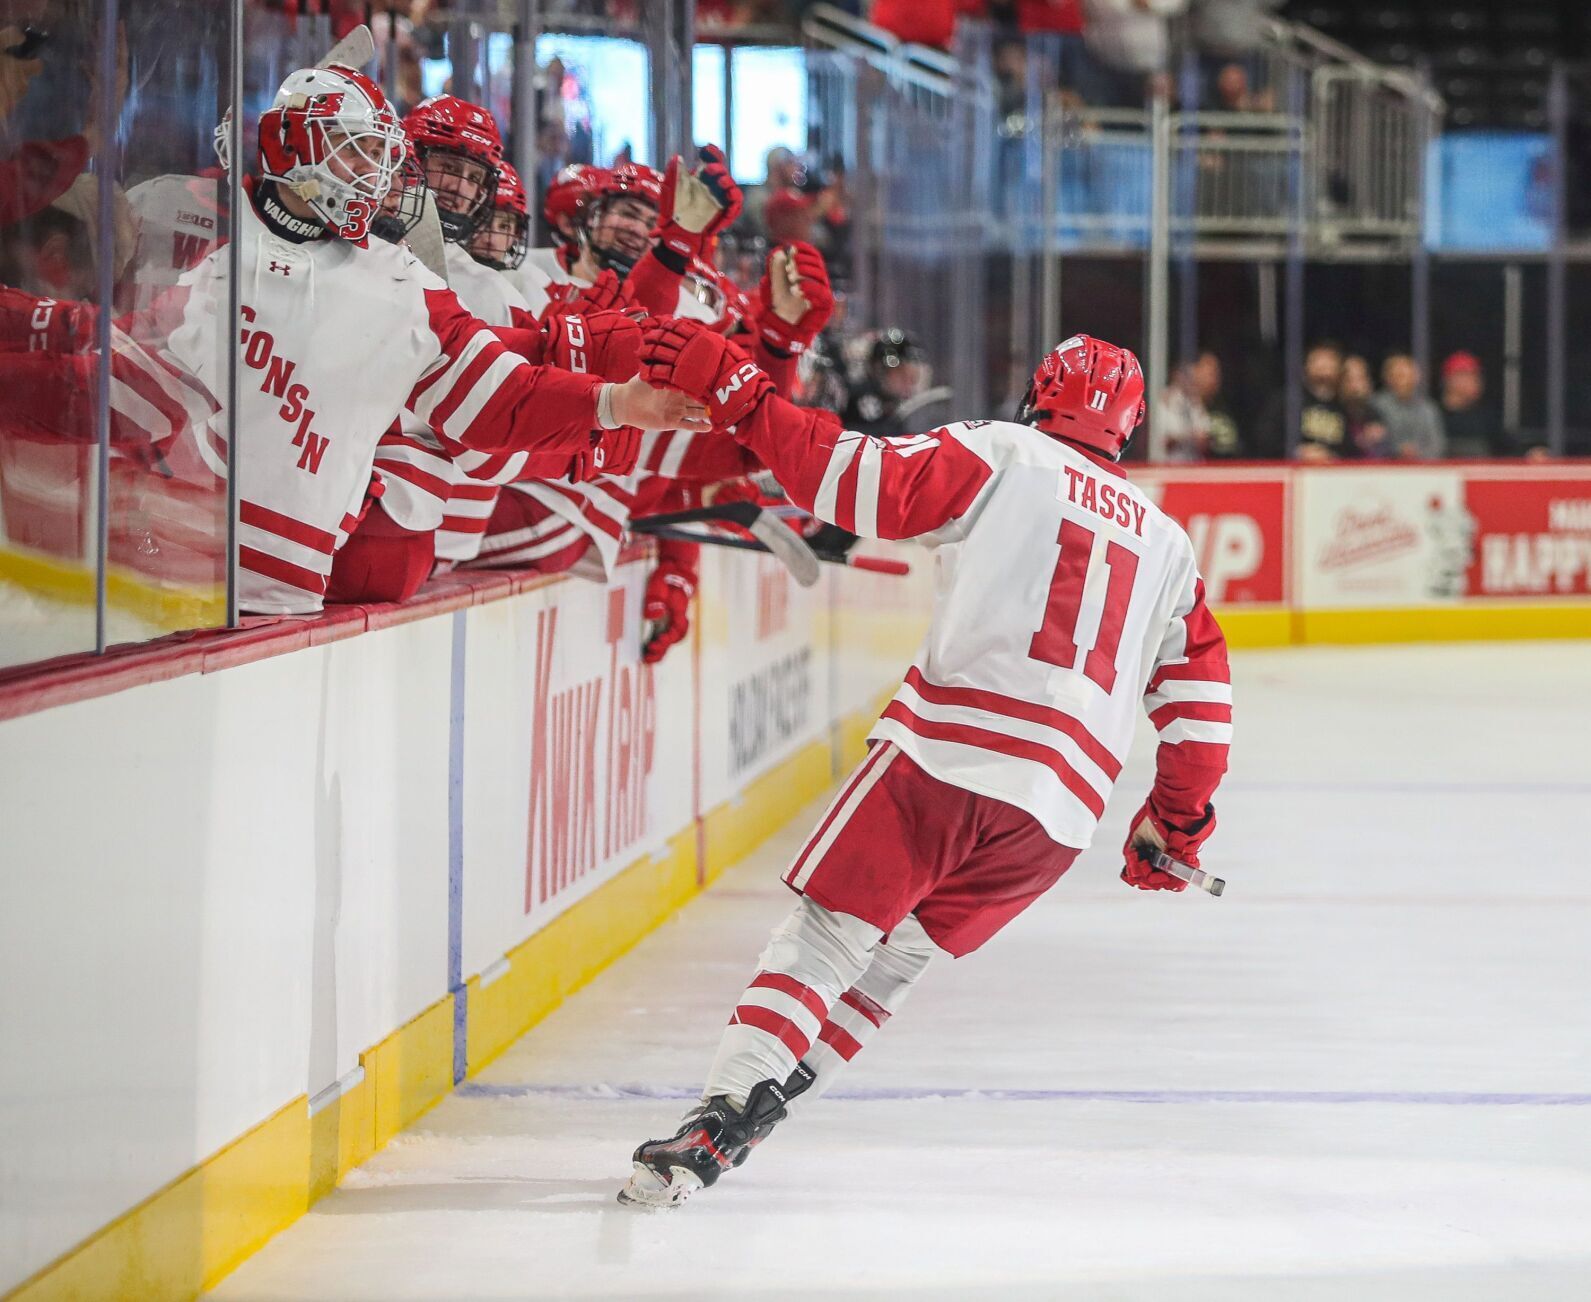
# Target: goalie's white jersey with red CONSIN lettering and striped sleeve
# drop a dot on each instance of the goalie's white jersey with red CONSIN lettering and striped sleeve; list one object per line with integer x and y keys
{"x": 336, "y": 340}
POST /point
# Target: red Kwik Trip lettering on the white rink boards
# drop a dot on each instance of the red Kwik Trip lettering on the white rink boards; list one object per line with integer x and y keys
{"x": 591, "y": 758}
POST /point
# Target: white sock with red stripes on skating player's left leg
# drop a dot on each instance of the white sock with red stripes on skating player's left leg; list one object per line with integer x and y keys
{"x": 809, "y": 964}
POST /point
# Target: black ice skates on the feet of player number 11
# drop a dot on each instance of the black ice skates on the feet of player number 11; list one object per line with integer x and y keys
{"x": 712, "y": 1139}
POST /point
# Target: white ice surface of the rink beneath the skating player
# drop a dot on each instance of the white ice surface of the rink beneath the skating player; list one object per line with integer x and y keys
{"x": 1364, "y": 1074}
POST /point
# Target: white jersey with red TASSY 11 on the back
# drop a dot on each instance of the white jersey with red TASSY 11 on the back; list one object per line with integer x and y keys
{"x": 1067, "y": 601}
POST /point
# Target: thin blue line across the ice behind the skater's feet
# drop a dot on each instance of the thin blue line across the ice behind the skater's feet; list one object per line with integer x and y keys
{"x": 609, "y": 1093}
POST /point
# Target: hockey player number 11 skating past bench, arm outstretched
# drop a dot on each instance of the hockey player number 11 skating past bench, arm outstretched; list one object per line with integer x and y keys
{"x": 1065, "y": 601}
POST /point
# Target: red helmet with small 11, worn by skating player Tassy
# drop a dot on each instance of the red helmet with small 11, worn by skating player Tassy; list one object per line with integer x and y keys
{"x": 1087, "y": 392}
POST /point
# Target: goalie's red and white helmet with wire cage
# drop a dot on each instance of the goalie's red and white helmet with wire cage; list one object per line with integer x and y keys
{"x": 336, "y": 144}
